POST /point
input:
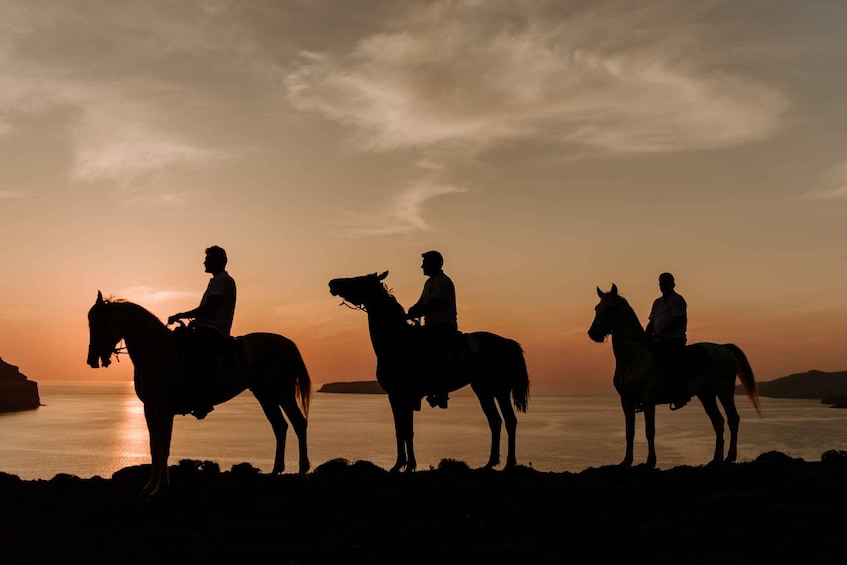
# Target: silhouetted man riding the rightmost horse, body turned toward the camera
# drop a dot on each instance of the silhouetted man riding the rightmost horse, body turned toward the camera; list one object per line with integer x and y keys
{"x": 667, "y": 328}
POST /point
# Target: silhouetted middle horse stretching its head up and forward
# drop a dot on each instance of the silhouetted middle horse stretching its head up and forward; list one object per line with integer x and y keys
{"x": 494, "y": 366}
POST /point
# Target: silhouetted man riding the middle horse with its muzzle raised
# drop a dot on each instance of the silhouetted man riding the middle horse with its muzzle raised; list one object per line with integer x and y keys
{"x": 437, "y": 306}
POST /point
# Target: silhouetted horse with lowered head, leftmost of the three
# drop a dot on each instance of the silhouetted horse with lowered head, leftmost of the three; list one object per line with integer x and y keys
{"x": 273, "y": 370}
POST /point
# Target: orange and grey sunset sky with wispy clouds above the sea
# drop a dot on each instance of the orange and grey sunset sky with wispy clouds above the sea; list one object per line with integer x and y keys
{"x": 545, "y": 148}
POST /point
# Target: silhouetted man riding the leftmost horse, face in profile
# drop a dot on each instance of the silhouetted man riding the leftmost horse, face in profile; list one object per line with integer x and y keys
{"x": 211, "y": 323}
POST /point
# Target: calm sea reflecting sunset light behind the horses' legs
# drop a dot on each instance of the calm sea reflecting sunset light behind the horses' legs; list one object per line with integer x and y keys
{"x": 89, "y": 429}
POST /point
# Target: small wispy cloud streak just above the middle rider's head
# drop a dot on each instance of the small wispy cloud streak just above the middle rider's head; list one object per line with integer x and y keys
{"x": 403, "y": 214}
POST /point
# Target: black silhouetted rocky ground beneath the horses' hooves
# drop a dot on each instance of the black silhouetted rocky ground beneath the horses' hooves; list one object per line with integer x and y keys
{"x": 773, "y": 510}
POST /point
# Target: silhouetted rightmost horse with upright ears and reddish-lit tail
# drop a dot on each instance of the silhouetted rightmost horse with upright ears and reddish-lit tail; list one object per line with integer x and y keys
{"x": 712, "y": 370}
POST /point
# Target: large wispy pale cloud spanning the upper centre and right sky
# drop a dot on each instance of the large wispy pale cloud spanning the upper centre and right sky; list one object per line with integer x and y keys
{"x": 615, "y": 77}
